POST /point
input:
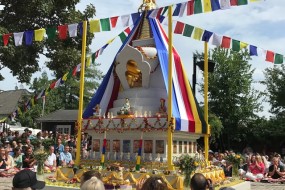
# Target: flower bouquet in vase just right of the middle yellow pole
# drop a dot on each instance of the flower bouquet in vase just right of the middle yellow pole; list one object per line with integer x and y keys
{"x": 187, "y": 165}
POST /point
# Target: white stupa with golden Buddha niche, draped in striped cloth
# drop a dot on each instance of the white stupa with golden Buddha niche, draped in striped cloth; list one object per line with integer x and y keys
{"x": 133, "y": 95}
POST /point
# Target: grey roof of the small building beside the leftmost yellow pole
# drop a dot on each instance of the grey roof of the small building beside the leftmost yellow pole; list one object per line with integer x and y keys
{"x": 60, "y": 116}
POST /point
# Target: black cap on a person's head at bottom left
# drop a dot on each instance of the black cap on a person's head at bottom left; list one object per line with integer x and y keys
{"x": 27, "y": 178}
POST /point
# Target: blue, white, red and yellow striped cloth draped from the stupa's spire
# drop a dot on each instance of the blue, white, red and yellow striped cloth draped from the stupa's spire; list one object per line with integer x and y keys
{"x": 185, "y": 108}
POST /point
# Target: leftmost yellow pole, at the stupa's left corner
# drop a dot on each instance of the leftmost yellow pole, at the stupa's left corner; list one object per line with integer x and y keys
{"x": 81, "y": 92}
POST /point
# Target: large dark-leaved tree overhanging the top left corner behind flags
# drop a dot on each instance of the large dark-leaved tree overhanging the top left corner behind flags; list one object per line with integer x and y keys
{"x": 27, "y": 15}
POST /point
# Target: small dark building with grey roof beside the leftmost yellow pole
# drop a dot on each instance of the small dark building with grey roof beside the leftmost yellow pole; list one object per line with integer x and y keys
{"x": 62, "y": 121}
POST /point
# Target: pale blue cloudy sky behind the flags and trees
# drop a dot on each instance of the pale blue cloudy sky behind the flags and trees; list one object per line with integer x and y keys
{"x": 261, "y": 24}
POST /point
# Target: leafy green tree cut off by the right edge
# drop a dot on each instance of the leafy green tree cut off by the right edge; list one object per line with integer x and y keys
{"x": 274, "y": 81}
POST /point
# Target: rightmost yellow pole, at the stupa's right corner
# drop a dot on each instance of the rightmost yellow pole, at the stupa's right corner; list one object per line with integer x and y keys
{"x": 207, "y": 135}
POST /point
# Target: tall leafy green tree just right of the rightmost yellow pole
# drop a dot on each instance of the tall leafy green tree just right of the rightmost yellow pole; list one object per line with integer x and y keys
{"x": 231, "y": 96}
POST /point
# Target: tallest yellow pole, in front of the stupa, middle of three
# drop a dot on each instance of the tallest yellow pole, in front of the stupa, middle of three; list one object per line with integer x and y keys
{"x": 169, "y": 101}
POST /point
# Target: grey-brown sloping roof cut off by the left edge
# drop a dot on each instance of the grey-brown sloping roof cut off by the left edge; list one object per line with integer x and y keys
{"x": 9, "y": 101}
